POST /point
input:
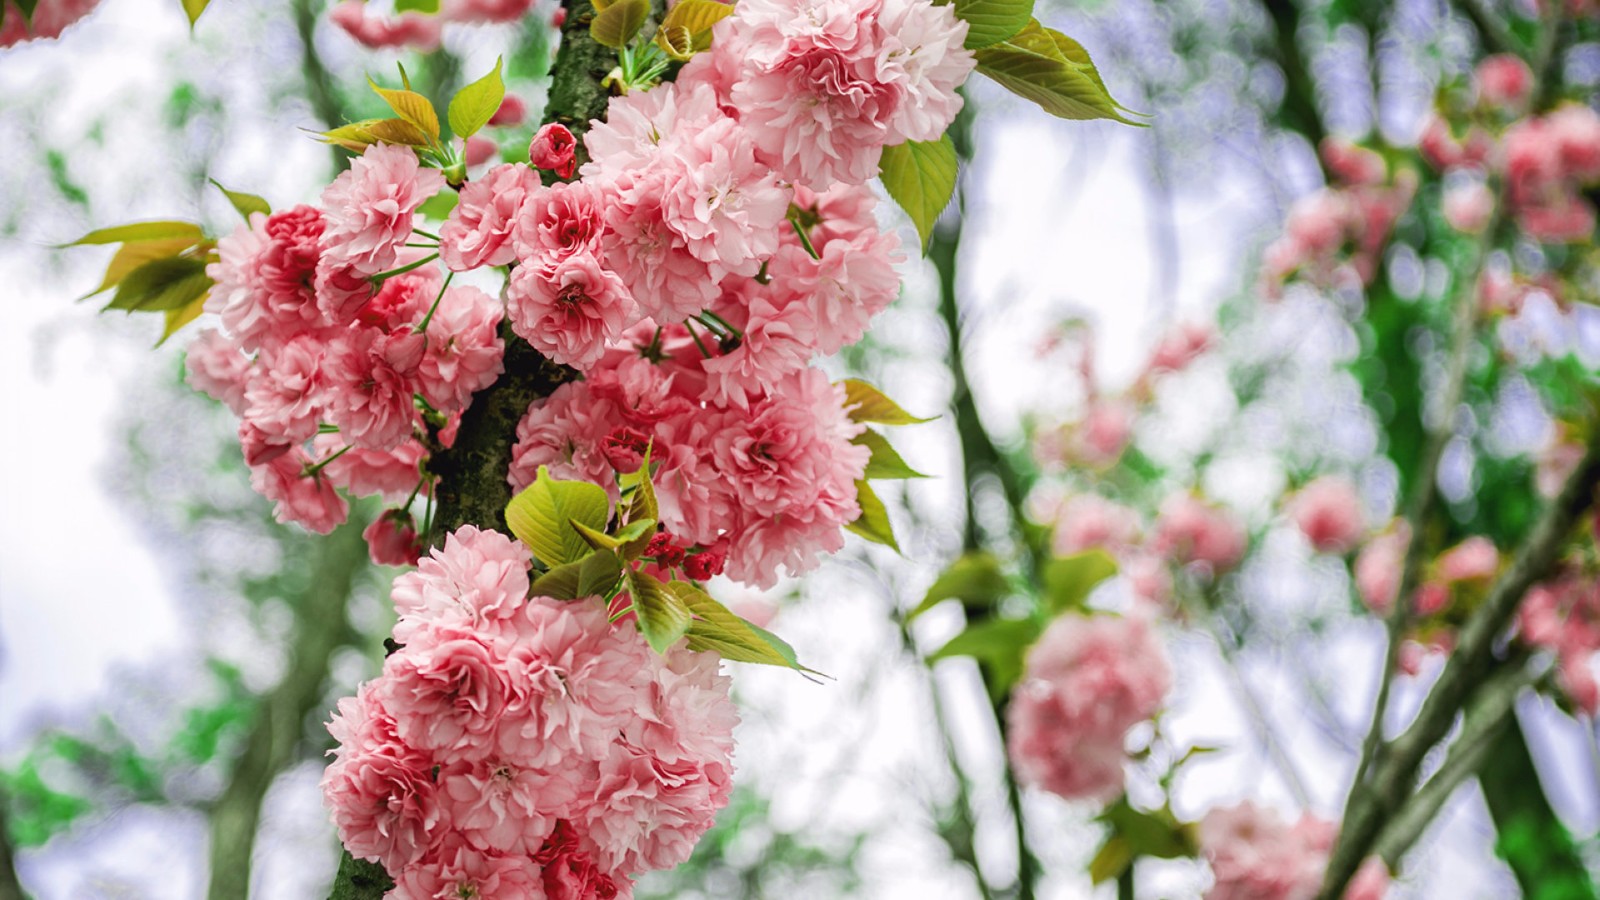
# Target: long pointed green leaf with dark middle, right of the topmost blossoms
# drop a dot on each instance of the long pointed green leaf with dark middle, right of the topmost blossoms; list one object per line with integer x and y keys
{"x": 1054, "y": 71}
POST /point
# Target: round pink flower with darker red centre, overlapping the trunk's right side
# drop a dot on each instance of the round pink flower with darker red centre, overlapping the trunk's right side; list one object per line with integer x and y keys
{"x": 569, "y": 311}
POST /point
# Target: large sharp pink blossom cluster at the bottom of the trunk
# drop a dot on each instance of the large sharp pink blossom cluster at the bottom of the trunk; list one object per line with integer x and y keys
{"x": 524, "y": 747}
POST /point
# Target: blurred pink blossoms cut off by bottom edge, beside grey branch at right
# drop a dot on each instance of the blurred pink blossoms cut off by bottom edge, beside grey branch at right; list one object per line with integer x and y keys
{"x": 1257, "y": 856}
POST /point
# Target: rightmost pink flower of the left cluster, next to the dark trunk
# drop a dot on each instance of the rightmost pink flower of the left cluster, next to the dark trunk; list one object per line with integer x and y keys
{"x": 465, "y": 352}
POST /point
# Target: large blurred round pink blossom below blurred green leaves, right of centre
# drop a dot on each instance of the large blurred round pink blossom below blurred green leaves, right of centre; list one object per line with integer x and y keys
{"x": 1089, "y": 680}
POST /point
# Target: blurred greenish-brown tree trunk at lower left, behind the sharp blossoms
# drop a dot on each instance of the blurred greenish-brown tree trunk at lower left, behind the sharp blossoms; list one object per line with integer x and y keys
{"x": 273, "y": 742}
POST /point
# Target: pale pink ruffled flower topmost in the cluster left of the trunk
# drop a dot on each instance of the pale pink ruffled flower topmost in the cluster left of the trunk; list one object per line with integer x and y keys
{"x": 370, "y": 207}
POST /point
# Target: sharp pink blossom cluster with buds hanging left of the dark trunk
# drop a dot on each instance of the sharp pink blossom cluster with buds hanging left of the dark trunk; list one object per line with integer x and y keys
{"x": 342, "y": 374}
